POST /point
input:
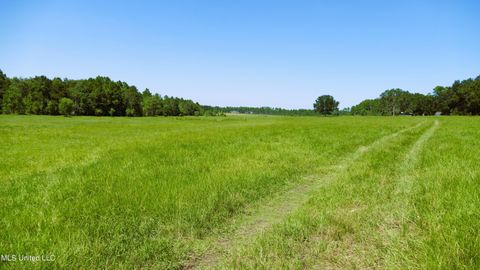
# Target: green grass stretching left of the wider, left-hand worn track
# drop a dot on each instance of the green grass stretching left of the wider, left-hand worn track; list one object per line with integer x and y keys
{"x": 145, "y": 192}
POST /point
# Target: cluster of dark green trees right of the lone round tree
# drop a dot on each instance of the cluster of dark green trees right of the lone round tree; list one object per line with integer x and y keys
{"x": 461, "y": 98}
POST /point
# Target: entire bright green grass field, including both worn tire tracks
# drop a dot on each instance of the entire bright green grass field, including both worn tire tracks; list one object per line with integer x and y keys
{"x": 254, "y": 192}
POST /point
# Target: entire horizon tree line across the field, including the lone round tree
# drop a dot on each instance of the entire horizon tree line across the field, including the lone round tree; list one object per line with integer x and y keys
{"x": 101, "y": 96}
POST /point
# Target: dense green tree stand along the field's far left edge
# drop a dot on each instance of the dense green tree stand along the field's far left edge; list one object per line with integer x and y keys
{"x": 98, "y": 96}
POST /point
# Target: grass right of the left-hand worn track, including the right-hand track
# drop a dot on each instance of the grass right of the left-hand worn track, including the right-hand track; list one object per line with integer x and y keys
{"x": 410, "y": 204}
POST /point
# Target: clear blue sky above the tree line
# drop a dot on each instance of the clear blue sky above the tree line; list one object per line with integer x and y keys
{"x": 246, "y": 52}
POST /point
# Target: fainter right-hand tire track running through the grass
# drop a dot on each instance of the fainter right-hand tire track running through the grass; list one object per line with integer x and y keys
{"x": 392, "y": 217}
